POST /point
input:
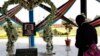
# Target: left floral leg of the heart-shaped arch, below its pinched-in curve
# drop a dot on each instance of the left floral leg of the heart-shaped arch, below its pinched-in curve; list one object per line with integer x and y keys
{"x": 12, "y": 36}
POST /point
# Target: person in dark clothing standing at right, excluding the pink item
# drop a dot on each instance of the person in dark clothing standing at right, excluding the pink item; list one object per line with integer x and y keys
{"x": 85, "y": 35}
